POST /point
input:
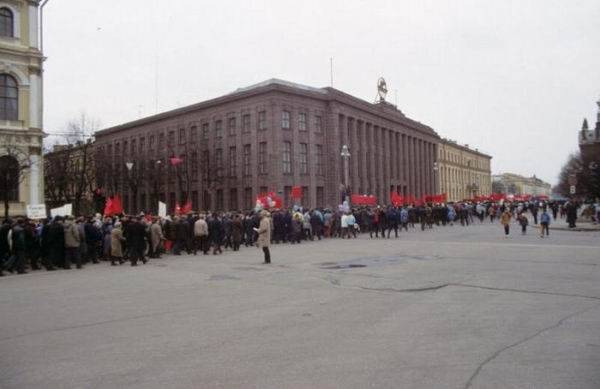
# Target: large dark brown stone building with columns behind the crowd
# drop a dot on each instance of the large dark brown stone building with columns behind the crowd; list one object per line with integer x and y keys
{"x": 267, "y": 137}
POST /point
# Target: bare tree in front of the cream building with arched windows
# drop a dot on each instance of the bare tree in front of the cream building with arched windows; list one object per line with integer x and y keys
{"x": 14, "y": 164}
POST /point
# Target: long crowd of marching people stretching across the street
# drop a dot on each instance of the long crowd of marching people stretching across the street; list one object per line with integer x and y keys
{"x": 63, "y": 242}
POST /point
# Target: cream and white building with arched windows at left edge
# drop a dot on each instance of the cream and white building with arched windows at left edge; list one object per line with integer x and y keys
{"x": 21, "y": 125}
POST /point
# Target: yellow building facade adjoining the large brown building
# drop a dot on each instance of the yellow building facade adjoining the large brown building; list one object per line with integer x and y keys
{"x": 464, "y": 173}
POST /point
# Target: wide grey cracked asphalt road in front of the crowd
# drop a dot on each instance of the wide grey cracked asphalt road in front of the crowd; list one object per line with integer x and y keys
{"x": 451, "y": 307}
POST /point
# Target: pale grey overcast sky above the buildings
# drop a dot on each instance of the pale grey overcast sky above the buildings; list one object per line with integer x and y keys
{"x": 512, "y": 78}
